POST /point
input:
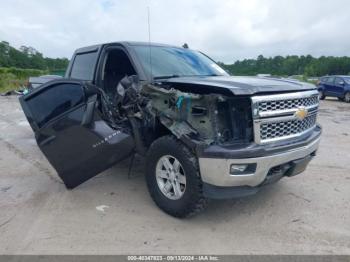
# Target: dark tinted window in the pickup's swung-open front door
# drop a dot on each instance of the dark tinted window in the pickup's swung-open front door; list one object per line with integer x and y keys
{"x": 55, "y": 101}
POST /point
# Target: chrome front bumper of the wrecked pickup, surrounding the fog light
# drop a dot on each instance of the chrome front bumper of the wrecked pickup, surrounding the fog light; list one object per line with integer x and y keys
{"x": 215, "y": 171}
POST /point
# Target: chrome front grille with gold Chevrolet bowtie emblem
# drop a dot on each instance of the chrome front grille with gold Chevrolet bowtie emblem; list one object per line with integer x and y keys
{"x": 282, "y": 116}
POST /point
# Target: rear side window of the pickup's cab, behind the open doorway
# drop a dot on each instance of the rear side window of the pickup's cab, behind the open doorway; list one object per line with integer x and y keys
{"x": 83, "y": 66}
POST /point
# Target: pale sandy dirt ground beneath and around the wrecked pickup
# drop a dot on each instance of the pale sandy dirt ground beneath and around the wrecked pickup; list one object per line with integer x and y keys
{"x": 309, "y": 213}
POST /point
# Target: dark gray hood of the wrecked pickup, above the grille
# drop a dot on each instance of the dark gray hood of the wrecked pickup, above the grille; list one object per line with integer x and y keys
{"x": 243, "y": 85}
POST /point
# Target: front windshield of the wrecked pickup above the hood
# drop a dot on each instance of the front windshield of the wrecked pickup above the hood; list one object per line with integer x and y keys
{"x": 175, "y": 62}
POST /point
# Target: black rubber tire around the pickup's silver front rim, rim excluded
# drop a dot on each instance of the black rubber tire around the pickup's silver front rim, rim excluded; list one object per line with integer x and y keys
{"x": 192, "y": 200}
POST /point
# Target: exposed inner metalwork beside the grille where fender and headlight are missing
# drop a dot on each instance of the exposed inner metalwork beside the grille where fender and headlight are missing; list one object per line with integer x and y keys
{"x": 202, "y": 118}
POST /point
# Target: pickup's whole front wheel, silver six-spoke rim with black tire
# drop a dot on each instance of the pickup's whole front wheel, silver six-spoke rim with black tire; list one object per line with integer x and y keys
{"x": 173, "y": 179}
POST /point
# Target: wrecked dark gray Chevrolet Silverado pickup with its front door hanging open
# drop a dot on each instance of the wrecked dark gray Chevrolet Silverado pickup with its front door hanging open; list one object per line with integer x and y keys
{"x": 205, "y": 134}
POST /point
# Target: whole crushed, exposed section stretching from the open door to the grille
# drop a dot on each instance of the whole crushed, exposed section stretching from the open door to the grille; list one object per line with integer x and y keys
{"x": 151, "y": 110}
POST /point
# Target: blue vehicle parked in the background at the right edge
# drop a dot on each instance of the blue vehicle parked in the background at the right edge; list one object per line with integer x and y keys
{"x": 335, "y": 86}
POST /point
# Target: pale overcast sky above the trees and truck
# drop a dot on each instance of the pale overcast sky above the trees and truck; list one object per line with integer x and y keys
{"x": 225, "y": 30}
